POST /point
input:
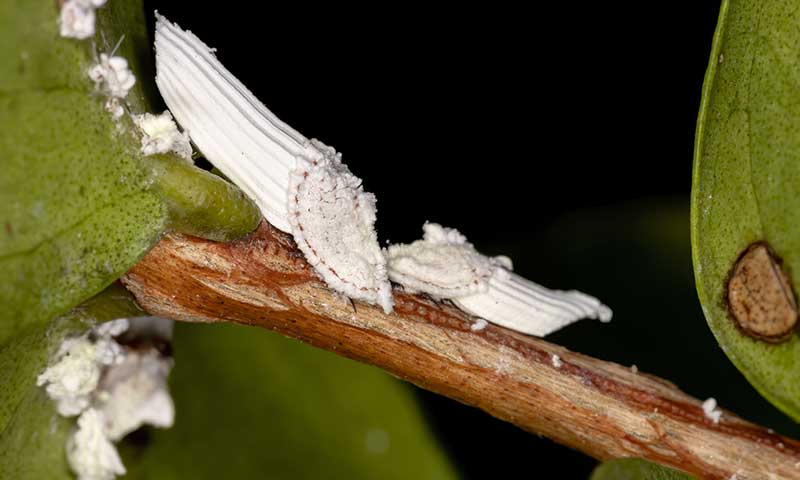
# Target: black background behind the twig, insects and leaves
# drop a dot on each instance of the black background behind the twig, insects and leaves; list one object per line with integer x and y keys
{"x": 560, "y": 133}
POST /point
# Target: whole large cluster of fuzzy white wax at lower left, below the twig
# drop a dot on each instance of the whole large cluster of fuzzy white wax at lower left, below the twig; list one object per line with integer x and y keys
{"x": 115, "y": 389}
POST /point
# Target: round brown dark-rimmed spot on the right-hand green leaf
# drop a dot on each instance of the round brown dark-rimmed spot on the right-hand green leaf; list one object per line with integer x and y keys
{"x": 760, "y": 297}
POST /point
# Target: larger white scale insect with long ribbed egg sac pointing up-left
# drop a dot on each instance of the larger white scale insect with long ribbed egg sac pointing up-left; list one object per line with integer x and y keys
{"x": 301, "y": 185}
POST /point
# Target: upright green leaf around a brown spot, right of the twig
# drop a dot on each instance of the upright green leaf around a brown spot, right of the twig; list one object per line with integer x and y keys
{"x": 746, "y": 177}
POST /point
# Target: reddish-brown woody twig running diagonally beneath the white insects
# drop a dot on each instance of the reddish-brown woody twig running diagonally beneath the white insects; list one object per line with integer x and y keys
{"x": 597, "y": 407}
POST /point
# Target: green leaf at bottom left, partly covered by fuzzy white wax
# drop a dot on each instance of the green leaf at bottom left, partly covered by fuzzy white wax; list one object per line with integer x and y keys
{"x": 32, "y": 435}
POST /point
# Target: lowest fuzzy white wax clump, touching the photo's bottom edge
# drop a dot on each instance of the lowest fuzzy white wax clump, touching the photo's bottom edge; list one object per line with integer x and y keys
{"x": 90, "y": 453}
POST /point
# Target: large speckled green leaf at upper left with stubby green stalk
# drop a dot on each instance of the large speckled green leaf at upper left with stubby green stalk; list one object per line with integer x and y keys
{"x": 79, "y": 205}
